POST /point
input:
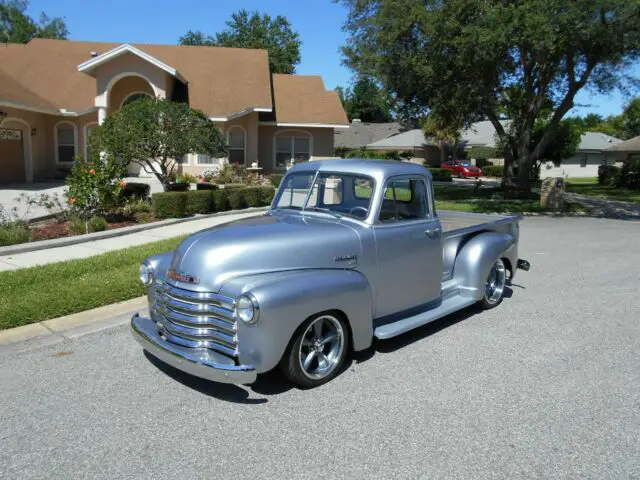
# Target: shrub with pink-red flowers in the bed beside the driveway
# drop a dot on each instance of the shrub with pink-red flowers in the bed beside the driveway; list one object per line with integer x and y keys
{"x": 94, "y": 187}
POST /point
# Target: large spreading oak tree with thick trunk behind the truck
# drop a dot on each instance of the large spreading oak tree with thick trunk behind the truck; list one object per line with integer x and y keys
{"x": 480, "y": 59}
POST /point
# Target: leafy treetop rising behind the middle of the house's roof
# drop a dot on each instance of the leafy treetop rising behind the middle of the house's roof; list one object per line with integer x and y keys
{"x": 252, "y": 30}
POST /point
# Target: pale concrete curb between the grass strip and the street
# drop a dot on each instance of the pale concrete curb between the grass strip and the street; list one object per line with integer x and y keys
{"x": 71, "y": 326}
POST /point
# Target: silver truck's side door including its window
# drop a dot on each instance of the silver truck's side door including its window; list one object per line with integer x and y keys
{"x": 408, "y": 246}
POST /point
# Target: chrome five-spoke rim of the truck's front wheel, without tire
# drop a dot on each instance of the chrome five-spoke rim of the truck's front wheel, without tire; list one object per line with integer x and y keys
{"x": 321, "y": 347}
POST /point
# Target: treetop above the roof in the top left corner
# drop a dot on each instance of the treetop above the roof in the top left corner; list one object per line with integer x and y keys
{"x": 17, "y": 27}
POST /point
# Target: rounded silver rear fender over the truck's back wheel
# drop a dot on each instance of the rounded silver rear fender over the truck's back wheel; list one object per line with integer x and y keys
{"x": 474, "y": 261}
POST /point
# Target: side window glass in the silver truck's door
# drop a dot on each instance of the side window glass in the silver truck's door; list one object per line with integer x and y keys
{"x": 404, "y": 199}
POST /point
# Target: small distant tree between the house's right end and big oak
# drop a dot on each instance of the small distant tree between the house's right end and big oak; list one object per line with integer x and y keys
{"x": 366, "y": 100}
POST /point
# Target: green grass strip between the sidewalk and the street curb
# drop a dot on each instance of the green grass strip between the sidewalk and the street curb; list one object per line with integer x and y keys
{"x": 33, "y": 294}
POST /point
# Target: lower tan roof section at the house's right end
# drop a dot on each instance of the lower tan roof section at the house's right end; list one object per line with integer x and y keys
{"x": 303, "y": 99}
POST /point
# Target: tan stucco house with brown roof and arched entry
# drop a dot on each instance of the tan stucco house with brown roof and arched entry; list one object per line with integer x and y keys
{"x": 53, "y": 93}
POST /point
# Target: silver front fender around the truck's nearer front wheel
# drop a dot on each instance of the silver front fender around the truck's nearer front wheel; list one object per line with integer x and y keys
{"x": 287, "y": 299}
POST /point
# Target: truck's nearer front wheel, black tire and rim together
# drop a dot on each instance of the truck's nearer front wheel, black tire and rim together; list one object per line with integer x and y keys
{"x": 317, "y": 351}
